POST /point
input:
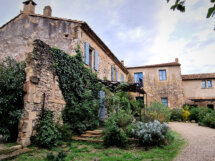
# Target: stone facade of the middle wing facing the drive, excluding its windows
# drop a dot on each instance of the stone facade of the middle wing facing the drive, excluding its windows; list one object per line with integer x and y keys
{"x": 171, "y": 88}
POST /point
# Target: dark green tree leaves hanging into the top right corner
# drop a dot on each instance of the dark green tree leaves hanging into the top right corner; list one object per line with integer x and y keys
{"x": 180, "y": 5}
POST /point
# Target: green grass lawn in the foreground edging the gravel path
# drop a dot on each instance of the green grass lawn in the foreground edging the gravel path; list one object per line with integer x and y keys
{"x": 83, "y": 151}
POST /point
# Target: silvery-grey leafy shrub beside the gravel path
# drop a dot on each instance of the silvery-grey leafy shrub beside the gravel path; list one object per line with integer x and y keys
{"x": 152, "y": 133}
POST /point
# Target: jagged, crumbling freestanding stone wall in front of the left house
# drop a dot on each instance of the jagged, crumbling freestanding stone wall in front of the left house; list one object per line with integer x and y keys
{"x": 41, "y": 87}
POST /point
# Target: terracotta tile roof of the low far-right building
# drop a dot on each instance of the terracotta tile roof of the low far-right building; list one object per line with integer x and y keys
{"x": 198, "y": 76}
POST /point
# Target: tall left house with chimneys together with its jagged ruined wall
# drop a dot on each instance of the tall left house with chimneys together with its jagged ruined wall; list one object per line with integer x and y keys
{"x": 17, "y": 39}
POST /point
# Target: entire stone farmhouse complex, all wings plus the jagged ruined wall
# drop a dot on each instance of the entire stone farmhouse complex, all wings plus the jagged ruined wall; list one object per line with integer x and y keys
{"x": 29, "y": 36}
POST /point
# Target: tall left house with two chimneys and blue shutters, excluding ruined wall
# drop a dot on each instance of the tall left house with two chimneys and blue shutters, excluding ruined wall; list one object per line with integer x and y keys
{"x": 62, "y": 33}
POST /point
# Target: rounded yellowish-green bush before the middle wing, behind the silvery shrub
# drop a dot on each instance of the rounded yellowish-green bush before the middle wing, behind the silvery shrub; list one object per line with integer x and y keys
{"x": 157, "y": 111}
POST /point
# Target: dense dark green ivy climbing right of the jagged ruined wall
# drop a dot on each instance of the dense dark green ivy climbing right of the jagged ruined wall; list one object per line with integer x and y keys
{"x": 80, "y": 88}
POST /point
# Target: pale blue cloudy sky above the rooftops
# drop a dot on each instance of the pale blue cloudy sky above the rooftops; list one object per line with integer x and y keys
{"x": 140, "y": 32}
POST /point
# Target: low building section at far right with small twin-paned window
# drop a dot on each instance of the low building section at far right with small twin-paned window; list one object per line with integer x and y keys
{"x": 199, "y": 89}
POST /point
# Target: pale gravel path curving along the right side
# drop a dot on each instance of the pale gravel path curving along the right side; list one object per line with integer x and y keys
{"x": 200, "y": 142}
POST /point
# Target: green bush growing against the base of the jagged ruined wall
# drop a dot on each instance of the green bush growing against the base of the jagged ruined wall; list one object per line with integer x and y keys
{"x": 47, "y": 134}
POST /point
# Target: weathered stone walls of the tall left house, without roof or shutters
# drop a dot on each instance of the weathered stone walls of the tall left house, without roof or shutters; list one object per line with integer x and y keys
{"x": 56, "y": 32}
